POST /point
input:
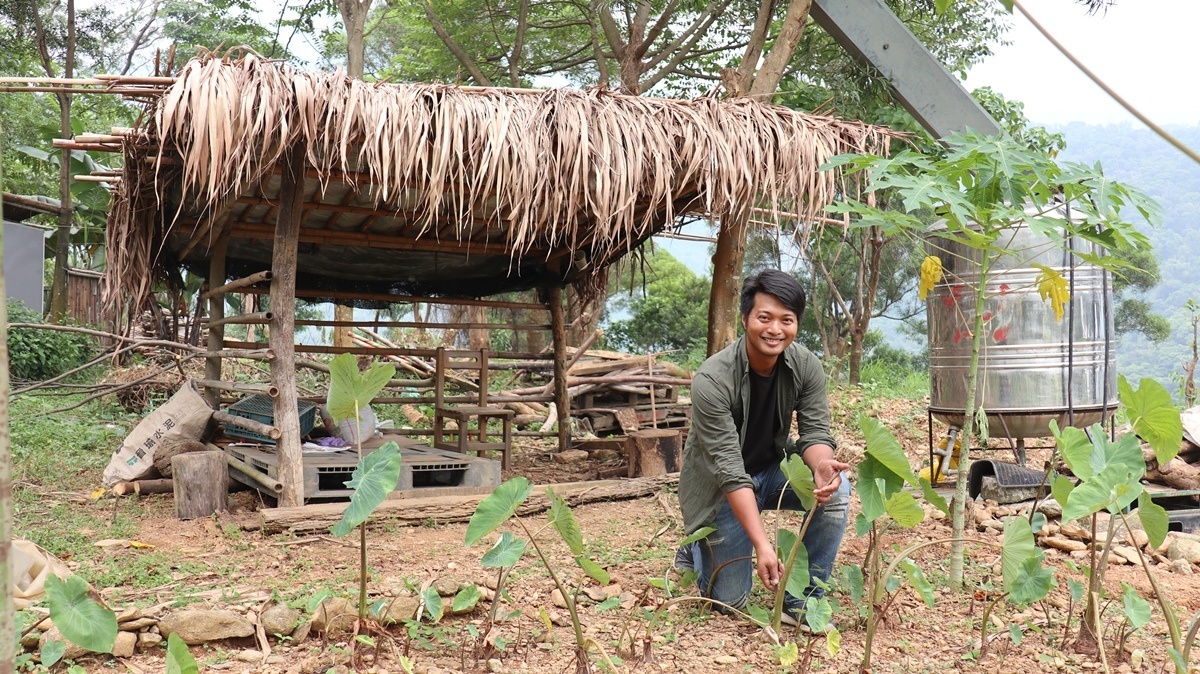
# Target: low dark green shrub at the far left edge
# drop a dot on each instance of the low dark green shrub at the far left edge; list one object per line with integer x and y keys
{"x": 35, "y": 356}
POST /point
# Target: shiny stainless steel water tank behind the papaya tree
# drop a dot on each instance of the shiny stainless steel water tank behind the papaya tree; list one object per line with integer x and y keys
{"x": 1027, "y": 362}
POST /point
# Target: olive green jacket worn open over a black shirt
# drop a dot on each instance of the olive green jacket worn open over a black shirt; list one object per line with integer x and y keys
{"x": 721, "y": 400}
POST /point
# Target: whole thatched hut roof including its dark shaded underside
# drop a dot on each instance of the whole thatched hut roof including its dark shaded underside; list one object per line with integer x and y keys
{"x": 445, "y": 190}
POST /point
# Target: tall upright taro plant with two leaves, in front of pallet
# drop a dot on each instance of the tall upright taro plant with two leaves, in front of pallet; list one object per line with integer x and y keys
{"x": 376, "y": 474}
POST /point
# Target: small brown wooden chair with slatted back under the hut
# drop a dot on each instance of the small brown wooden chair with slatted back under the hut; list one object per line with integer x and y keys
{"x": 469, "y": 440}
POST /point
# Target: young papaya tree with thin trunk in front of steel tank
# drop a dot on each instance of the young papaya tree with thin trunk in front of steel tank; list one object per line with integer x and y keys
{"x": 976, "y": 192}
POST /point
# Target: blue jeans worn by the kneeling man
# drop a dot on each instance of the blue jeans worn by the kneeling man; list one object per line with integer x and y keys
{"x": 729, "y": 549}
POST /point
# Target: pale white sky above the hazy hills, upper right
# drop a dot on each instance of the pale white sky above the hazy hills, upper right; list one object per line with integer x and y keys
{"x": 1144, "y": 50}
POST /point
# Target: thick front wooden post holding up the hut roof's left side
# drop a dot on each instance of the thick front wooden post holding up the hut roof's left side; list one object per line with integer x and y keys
{"x": 283, "y": 339}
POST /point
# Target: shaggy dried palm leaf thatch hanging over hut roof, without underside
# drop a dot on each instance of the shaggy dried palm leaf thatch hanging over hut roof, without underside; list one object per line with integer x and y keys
{"x": 555, "y": 171}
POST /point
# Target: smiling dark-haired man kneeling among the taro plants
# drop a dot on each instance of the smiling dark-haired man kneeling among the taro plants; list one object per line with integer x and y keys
{"x": 743, "y": 400}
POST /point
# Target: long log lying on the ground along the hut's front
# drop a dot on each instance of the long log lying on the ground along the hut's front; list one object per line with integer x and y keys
{"x": 417, "y": 511}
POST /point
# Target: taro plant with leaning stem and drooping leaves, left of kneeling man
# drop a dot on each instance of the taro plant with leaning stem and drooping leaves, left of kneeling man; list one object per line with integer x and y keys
{"x": 501, "y": 507}
